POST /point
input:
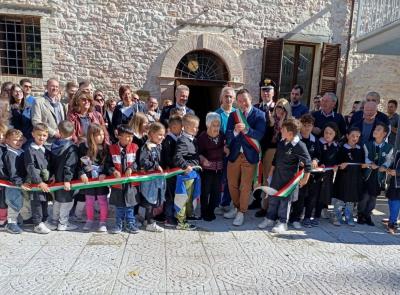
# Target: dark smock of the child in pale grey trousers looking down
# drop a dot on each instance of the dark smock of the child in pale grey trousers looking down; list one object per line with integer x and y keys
{"x": 64, "y": 165}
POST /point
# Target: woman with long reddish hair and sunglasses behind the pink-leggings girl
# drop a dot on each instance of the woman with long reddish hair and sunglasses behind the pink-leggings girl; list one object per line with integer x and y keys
{"x": 83, "y": 114}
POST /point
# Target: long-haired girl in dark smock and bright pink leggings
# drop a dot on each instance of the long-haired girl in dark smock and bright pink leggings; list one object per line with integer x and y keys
{"x": 93, "y": 155}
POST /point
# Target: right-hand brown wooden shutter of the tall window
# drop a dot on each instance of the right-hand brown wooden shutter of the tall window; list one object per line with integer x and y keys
{"x": 330, "y": 59}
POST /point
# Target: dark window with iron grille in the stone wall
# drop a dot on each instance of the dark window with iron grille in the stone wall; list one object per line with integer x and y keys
{"x": 20, "y": 46}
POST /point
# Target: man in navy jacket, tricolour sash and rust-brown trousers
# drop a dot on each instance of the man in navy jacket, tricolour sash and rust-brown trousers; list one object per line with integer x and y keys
{"x": 246, "y": 127}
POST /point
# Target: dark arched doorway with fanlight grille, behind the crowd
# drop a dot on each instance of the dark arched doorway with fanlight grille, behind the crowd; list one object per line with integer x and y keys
{"x": 205, "y": 74}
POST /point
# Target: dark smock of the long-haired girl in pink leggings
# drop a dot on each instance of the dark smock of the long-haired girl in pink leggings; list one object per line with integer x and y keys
{"x": 97, "y": 165}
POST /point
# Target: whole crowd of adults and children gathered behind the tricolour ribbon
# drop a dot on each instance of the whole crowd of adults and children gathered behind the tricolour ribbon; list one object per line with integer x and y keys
{"x": 344, "y": 161}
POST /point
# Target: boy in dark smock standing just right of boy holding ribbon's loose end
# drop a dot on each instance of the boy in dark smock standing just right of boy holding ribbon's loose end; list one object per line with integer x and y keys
{"x": 307, "y": 191}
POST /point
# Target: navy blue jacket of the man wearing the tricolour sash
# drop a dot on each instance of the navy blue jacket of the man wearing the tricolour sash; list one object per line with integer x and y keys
{"x": 236, "y": 143}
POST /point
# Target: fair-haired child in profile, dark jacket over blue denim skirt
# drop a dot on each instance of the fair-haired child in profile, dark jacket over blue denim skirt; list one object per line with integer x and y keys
{"x": 152, "y": 193}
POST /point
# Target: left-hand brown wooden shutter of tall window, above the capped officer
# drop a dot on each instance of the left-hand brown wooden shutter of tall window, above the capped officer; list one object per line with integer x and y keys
{"x": 272, "y": 62}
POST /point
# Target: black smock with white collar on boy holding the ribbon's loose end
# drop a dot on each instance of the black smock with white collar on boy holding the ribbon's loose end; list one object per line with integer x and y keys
{"x": 287, "y": 159}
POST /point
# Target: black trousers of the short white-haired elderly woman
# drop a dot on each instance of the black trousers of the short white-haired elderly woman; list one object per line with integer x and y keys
{"x": 210, "y": 192}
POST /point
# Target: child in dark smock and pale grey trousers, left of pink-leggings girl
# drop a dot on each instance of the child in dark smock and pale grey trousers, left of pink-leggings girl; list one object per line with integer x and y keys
{"x": 64, "y": 162}
